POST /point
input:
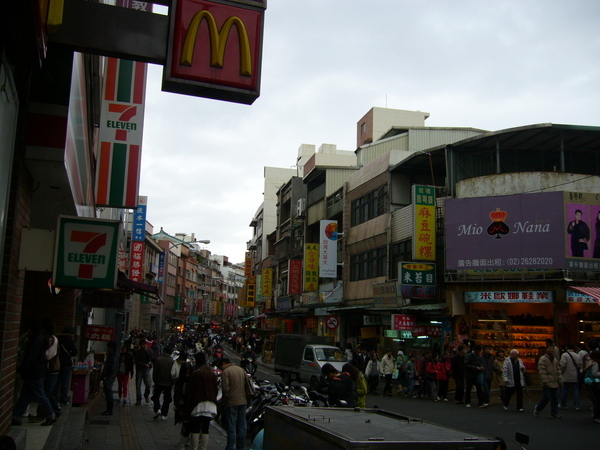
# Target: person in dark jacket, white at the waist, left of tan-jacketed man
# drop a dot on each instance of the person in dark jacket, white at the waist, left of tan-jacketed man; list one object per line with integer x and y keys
{"x": 201, "y": 402}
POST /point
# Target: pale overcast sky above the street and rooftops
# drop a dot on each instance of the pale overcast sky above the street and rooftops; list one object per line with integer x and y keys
{"x": 481, "y": 64}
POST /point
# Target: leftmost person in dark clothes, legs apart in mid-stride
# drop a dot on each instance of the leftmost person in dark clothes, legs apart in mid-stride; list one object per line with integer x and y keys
{"x": 33, "y": 371}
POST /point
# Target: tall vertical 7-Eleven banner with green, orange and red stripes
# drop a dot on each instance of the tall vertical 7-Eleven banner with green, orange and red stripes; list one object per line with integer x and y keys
{"x": 120, "y": 137}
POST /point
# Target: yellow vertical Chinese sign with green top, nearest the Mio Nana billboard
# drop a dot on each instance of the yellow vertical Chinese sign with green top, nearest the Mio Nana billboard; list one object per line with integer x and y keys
{"x": 423, "y": 247}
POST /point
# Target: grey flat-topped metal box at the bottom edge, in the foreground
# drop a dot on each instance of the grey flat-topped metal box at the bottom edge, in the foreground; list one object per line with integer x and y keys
{"x": 293, "y": 428}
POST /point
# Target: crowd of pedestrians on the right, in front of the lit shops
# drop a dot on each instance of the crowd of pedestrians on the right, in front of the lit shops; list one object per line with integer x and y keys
{"x": 474, "y": 367}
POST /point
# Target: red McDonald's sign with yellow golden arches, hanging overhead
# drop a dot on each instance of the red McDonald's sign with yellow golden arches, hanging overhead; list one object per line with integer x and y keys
{"x": 215, "y": 49}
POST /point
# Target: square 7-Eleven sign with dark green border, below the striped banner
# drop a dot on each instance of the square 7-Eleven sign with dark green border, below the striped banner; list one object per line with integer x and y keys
{"x": 86, "y": 253}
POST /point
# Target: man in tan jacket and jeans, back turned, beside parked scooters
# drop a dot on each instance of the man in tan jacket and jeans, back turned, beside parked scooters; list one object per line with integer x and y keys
{"x": 233, "y": 382}
